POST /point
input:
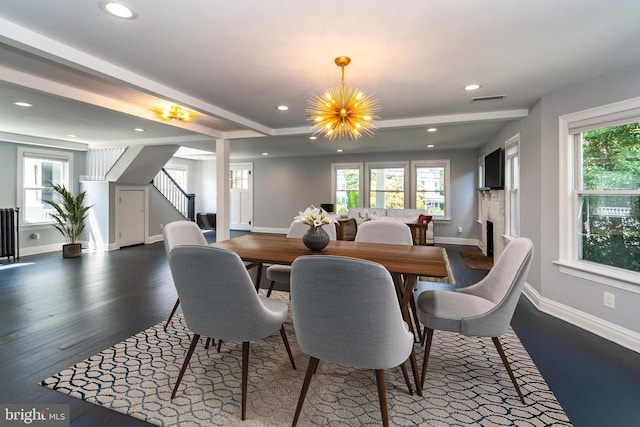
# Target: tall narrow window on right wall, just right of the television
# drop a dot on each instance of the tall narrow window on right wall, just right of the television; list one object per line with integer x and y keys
{"x": 512, "y": 186}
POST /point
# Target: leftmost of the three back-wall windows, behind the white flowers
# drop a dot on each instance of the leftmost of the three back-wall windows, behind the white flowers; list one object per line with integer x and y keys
{"x": 346, "y": 184}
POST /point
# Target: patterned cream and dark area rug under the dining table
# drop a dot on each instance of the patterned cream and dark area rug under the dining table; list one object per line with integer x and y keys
{"x": 466, "y": 384}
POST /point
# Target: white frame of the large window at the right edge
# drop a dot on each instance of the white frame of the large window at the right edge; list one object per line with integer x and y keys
{"x": 608, "y": 115}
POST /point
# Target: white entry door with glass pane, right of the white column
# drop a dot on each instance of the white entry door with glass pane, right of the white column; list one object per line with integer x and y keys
{"x": 241, "y": 197}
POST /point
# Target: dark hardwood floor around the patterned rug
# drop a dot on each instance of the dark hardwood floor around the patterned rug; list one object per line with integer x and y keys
{"x": 55, "y": 312}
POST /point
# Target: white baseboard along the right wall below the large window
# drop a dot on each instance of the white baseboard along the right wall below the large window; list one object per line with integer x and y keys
{"x": 595, "y": 325}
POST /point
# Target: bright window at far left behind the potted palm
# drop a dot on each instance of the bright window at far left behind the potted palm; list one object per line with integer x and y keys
{"x": 37, "y": 170}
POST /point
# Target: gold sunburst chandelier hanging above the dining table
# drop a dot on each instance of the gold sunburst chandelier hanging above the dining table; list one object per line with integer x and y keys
{"x": 343, "y": 112}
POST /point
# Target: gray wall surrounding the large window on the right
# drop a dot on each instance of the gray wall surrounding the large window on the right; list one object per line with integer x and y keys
{"x": 540, "y": 205}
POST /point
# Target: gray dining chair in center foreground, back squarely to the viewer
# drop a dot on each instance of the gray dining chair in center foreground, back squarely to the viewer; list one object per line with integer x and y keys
{"x": 333, "y": 301}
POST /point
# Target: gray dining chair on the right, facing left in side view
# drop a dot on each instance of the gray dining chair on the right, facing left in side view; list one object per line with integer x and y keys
{"x": 484, "y": 309}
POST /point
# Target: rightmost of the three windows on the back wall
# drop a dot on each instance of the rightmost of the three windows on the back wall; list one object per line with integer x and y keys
{"x": 430, "y": 182}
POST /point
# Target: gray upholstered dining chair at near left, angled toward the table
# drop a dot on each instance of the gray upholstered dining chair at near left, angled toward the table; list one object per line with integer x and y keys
{"x": 219, "y": 300}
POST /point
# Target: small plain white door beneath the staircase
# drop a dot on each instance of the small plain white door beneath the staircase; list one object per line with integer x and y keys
{"x": 131, "y": 217}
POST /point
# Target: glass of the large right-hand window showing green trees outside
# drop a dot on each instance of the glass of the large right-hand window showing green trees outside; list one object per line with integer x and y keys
{"x": 608, "y": 196}
